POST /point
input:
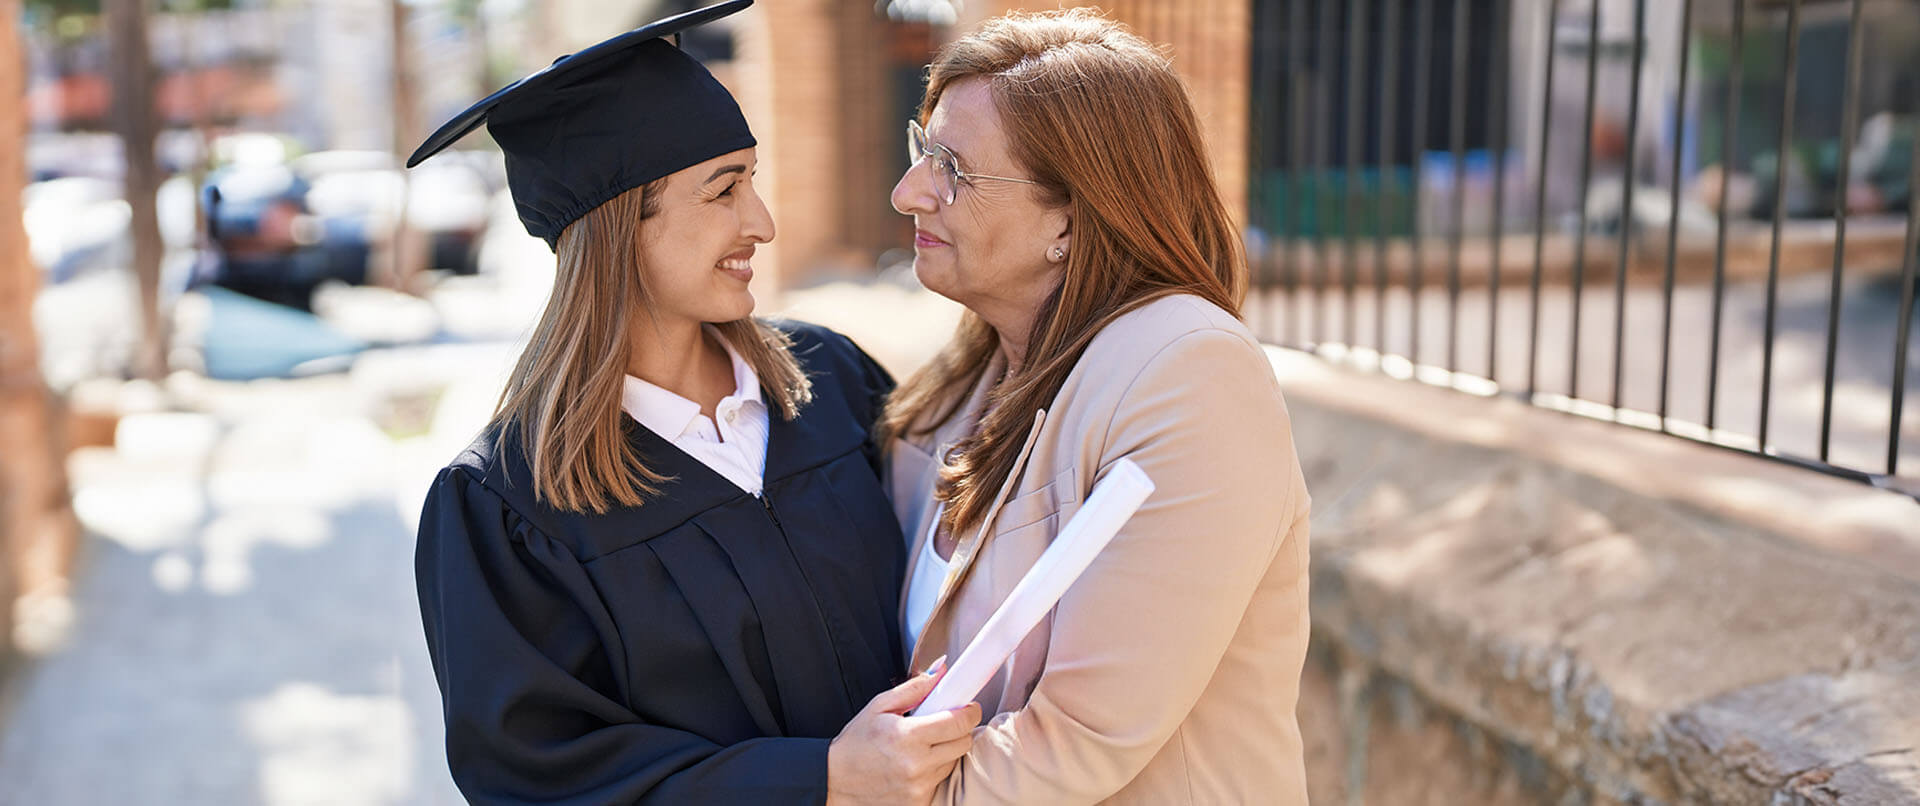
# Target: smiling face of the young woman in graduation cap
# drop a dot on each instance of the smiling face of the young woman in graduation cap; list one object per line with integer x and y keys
{"x": 698, "y": 247}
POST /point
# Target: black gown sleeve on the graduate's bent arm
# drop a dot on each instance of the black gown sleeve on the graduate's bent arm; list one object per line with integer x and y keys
{"x": 521, "y": 652}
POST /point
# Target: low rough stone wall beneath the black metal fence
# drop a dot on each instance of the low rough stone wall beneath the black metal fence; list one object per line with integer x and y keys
{"x": 1518, "y": 605}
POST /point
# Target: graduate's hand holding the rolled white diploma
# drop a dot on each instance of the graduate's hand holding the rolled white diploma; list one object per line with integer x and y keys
{"x": 884, "y": 757}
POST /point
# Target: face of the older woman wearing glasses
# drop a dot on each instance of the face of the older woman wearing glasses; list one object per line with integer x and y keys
{"x": 992, "y": 249}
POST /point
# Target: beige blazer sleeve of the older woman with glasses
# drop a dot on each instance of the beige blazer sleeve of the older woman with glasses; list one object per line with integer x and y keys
{"x": 1141, "y": 634}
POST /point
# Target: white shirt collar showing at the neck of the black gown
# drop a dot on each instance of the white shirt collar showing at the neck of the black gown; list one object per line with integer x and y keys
{"x": 734, "y": 446}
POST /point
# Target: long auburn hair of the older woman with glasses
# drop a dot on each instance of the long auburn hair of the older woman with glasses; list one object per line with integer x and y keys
{"x": 1103, "y": 124}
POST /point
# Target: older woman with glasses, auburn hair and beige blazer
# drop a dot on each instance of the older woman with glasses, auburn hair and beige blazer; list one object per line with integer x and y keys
{"x": 1061, "y": 191}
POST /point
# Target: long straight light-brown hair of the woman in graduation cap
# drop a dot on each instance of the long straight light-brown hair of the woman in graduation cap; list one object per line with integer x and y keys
{"x": 564, "y": 396}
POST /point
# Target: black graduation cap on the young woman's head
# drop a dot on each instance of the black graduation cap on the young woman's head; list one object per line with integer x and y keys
{"x": 604, "y": 122}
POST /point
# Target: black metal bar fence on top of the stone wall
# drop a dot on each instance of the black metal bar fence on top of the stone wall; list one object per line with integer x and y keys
{"x": 1412, "y": 210}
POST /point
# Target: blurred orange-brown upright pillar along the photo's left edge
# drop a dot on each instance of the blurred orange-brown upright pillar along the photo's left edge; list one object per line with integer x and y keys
{"x": 37, "y": 529}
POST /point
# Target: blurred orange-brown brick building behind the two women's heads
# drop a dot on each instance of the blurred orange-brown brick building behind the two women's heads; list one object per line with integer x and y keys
{"x": 830, "y": 85}
